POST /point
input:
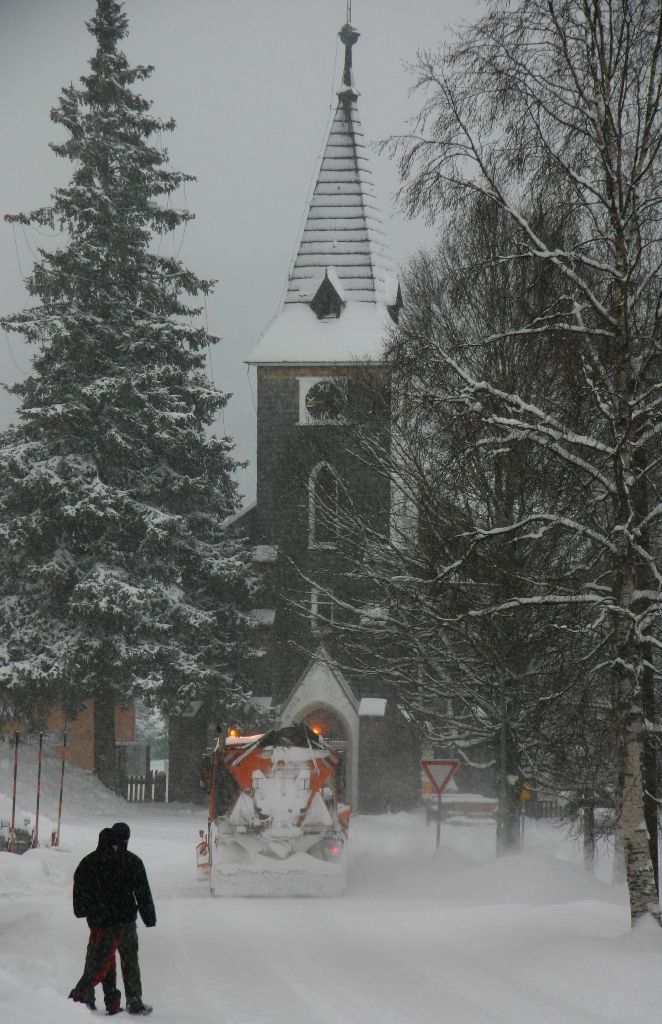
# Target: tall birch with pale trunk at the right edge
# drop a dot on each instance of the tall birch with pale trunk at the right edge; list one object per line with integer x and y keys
{"x": 545, "y": 104}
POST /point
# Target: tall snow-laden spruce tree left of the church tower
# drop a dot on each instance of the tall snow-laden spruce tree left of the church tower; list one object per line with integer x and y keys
{"x": 118, "y": 578}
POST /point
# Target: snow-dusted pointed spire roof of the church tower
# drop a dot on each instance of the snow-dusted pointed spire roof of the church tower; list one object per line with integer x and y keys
{"x": 343, "y": 289}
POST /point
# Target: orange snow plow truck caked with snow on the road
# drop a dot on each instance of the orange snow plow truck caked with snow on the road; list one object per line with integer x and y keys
{"x": 276, "y": 827}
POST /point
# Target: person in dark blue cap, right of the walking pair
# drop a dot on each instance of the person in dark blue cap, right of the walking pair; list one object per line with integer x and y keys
{"x": 137, "y": 900}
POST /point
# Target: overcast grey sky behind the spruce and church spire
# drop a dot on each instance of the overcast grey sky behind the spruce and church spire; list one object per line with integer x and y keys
{"x": 251, "y": 84}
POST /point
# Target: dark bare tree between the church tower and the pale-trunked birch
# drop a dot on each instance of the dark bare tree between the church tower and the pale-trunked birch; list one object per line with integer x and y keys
{"x": 476, "y": 684}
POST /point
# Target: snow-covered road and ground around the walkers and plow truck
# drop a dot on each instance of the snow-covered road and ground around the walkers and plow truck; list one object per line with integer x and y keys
{"x": 458, "y": 938}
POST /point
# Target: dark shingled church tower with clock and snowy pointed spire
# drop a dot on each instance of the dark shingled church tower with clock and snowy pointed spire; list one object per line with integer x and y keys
{"x": 326, "y": 342}
